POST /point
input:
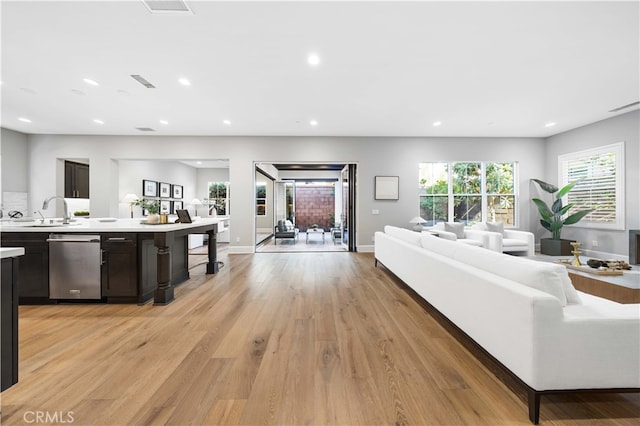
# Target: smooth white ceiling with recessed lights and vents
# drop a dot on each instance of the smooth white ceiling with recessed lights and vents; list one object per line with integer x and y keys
{"x": 387, "y": 68}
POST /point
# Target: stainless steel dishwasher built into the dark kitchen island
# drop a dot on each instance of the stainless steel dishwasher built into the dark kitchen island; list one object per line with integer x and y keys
{"x": 74, "y": 266}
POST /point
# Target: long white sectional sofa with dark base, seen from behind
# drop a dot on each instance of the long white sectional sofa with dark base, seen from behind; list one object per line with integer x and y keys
{"x": 526, "y": 314}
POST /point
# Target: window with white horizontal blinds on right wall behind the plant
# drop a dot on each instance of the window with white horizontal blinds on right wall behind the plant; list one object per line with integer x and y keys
{"x": 600, "y": 176}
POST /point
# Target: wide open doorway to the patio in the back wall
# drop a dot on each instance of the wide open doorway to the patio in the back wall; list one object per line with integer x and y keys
{"x": 310, "y": 207}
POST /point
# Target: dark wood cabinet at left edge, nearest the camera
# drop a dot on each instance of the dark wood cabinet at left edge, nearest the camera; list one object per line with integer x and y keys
{"x": 9, "y": 323}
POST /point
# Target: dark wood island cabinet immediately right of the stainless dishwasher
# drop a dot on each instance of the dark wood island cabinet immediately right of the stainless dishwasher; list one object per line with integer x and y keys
{"x": 120, "y": 270}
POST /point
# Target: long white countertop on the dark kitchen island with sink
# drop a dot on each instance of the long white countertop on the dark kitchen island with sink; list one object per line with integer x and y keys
{"x": 105, "y": 225}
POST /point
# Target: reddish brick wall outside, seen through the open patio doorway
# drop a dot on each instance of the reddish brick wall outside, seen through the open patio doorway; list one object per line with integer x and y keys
{"x": 313, "y": 205}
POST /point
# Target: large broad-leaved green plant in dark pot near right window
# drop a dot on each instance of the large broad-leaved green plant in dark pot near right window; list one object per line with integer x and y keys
{"x": 555, "y": 217}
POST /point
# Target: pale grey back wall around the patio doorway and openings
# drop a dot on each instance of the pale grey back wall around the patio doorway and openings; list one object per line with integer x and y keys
{"x": 373, "y": 156}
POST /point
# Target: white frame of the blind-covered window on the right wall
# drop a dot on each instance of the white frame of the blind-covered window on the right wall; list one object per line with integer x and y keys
{"x": 618, "y": 149}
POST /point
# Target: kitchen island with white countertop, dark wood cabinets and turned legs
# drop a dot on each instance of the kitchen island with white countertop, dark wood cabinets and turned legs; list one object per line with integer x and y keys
{"x": 140, "y": 261}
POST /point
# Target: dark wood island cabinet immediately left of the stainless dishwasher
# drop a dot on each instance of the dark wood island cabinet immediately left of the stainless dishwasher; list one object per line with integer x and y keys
{"x": 33, "y": 268}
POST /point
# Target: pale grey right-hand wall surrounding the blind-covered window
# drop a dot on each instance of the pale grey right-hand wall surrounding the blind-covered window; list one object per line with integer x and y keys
{"x": 625, "y": 127}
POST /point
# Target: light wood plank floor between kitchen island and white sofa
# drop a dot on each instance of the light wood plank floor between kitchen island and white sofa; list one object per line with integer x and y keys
{"x": 286, "y": 339}
